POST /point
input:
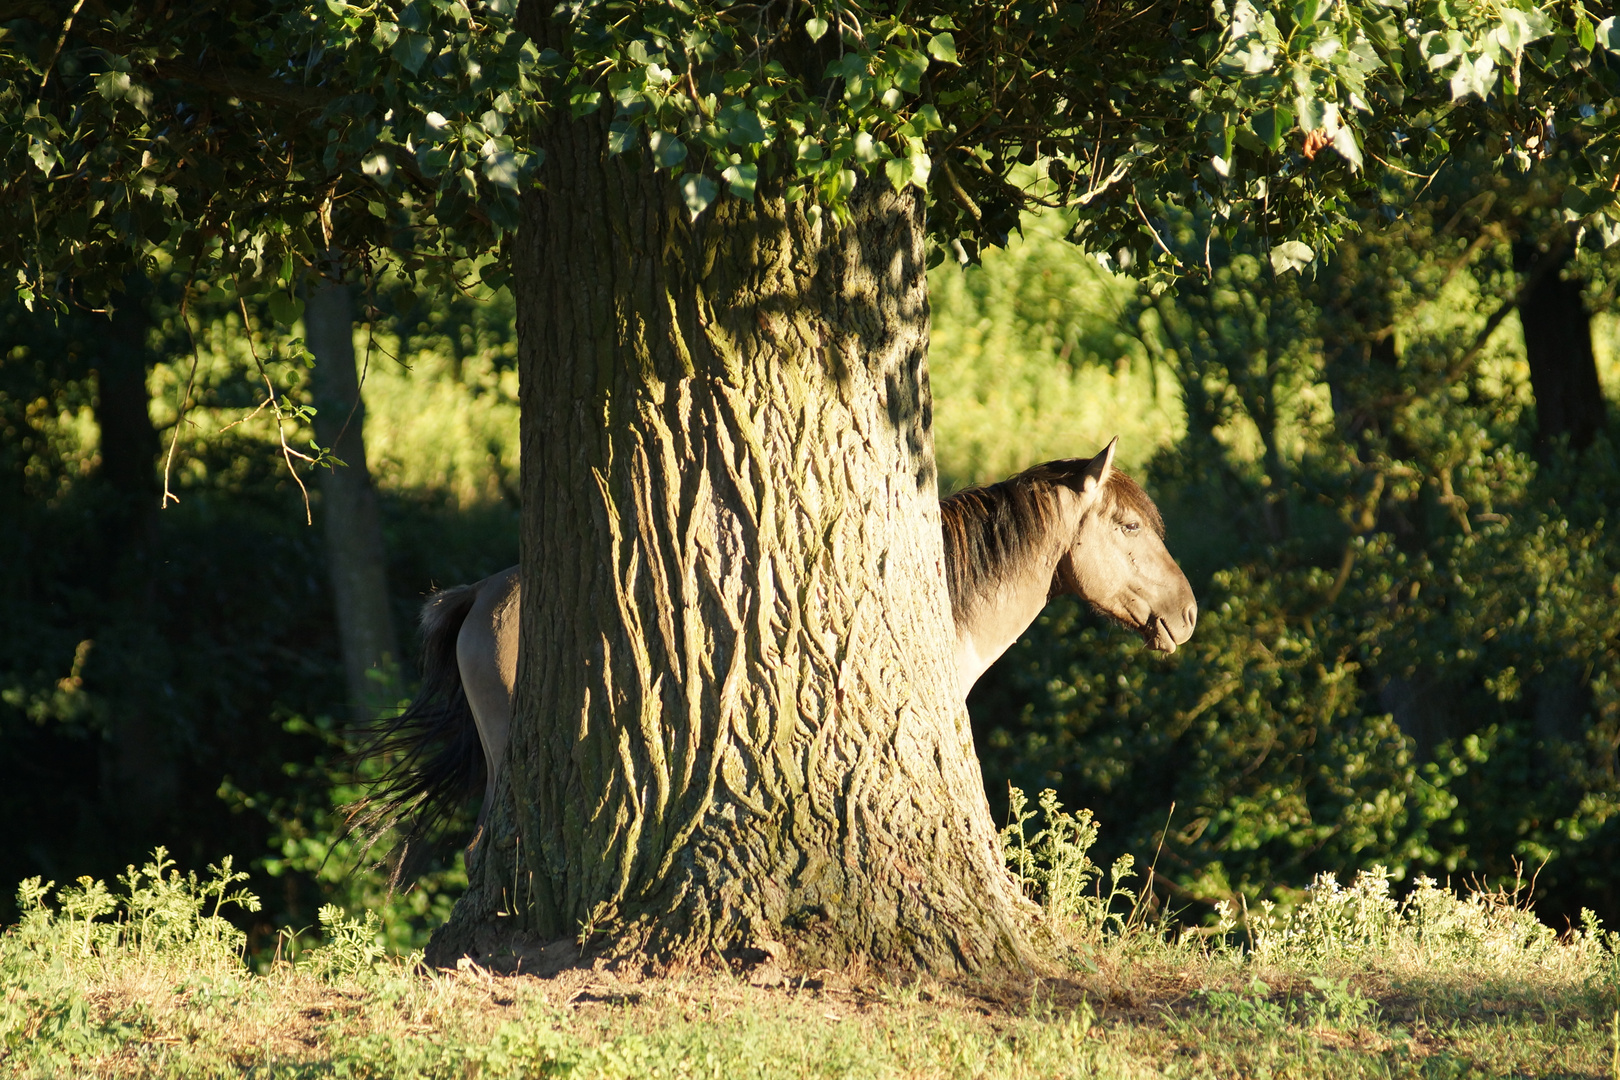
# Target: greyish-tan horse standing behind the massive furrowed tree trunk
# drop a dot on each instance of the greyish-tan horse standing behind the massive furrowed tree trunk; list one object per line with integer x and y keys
{"x": 1075, "y": 527}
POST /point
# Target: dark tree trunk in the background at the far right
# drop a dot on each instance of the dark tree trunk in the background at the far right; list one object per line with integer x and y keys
{"x": 1559, "y": 347}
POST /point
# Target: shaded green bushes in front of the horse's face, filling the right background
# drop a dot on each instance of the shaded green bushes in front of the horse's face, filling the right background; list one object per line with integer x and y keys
{"x": 1405, "y": 652}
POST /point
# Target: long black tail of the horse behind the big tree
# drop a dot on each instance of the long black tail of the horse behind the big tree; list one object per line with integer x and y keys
{"x": 433, "y": 760}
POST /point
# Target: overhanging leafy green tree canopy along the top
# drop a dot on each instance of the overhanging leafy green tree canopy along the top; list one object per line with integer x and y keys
{"x": 249, "y": 135}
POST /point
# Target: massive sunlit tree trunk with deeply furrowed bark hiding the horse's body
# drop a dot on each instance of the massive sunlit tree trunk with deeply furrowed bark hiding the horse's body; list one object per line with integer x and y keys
{"x": 738, "y": 721}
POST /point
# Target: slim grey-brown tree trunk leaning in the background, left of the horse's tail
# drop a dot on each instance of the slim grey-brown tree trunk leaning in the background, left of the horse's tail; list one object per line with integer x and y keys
{"x": 349, "y": 504}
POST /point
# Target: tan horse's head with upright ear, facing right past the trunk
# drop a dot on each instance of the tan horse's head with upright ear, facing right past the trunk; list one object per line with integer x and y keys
{"x": 1117, "y": 561}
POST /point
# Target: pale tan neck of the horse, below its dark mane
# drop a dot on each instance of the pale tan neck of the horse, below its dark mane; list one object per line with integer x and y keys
{"x": 1015, "y": 592}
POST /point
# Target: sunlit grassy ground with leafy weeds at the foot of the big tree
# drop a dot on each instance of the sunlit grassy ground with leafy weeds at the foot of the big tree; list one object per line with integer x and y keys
{"x": 147, "y": 979}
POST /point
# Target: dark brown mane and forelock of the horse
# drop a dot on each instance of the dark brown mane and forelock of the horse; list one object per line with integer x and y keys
{"x": 1000, "y": 529}
